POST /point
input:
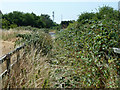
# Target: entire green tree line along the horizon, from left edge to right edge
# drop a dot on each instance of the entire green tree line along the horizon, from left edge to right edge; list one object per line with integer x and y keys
{"x": 17, "y": 18}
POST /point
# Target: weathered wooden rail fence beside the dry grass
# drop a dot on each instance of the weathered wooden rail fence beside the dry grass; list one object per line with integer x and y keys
{"x": 7, "y": 58}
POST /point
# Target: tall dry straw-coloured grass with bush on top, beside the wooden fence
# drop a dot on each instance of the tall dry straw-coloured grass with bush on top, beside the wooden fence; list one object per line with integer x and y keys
{"x": 32, "y": 70}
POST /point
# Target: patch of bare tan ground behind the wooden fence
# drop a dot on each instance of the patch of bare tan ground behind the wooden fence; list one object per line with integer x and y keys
{"x": 6, "y": 47}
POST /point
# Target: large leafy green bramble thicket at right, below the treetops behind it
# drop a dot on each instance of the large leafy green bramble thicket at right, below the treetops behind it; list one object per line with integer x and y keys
{"x": 88, "y": 52}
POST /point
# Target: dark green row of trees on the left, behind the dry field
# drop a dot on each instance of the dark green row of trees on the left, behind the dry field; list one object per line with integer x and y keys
{"x": 17, "y": 18}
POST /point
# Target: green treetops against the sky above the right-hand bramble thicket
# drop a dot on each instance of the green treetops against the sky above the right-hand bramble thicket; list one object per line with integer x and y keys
{"x": 106, "y": 12}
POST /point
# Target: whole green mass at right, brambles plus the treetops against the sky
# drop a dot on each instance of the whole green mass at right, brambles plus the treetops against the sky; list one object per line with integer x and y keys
{"x": 83, "y": 54}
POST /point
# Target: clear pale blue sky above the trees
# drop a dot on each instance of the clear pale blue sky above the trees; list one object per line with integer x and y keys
{"x": 63, "y": 9}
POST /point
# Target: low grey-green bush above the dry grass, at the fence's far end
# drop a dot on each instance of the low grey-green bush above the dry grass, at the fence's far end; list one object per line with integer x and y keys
{"x": 38, "y": 40}
